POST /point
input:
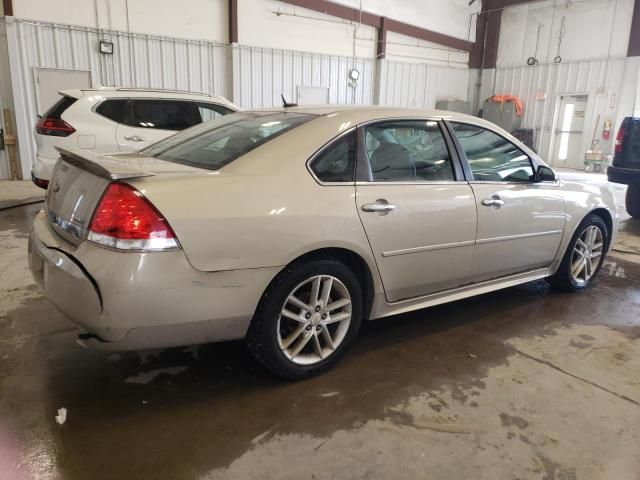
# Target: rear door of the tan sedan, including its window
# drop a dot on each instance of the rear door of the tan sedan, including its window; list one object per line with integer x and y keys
{"x": 419, "y": 220}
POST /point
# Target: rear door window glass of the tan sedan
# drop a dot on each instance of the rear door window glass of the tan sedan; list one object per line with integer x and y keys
{"x": 402, "y": 151}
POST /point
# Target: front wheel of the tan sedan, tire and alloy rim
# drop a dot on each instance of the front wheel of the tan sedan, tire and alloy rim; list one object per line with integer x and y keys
{"x": 584, "y": 256}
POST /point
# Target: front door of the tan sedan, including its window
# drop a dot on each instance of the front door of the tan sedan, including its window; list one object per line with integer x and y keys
{"x": 520, "y": 222}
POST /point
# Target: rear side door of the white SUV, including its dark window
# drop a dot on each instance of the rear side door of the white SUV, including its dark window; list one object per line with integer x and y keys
{"x": 152, "y": 120}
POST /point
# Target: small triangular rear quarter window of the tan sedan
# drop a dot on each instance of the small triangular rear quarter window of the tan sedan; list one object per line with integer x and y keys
{"x": 336, "y": 163}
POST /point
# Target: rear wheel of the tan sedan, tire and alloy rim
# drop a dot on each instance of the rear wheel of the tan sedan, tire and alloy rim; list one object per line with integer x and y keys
{"x": 307, "y": 318}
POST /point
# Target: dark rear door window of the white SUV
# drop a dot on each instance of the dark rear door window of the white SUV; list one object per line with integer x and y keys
{"x": 162, "y": 114}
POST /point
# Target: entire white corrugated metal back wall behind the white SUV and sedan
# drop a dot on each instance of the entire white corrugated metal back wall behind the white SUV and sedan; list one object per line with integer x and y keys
{"x": 250, "y": 76}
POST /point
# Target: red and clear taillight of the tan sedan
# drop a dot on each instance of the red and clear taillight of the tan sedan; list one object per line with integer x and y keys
{"x": 126, "y": 220}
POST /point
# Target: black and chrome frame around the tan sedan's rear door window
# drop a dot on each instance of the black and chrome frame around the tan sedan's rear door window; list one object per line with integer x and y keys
{"x": 364, "y": 175}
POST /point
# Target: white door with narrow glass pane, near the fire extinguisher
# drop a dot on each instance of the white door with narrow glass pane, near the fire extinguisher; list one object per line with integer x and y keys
{"x": 569, "y": 130}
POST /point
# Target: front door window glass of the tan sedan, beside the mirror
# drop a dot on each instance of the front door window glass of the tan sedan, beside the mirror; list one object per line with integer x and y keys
{"x": 491, "y": 157}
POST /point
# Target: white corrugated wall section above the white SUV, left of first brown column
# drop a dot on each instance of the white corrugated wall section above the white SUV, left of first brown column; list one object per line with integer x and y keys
{"x": 145, "y": 61}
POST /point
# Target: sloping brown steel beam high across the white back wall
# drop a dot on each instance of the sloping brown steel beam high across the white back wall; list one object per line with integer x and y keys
{"x": 375, "y": 21}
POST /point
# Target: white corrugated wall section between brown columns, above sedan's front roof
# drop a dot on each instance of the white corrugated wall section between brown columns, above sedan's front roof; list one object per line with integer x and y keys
{"x": 421, "y": 85}
